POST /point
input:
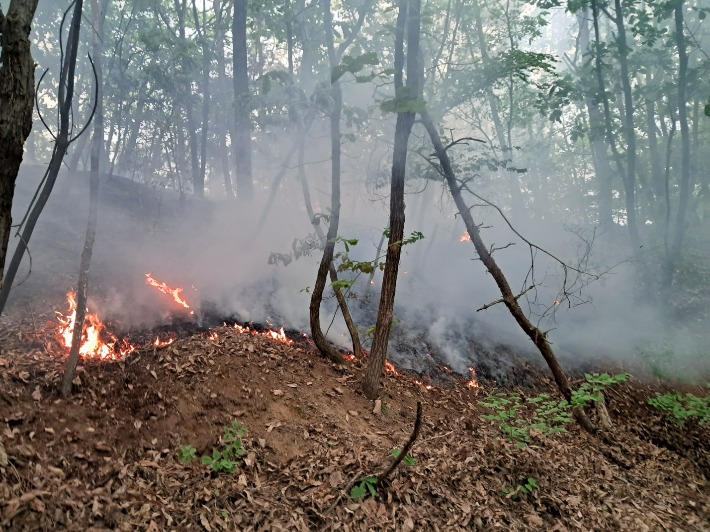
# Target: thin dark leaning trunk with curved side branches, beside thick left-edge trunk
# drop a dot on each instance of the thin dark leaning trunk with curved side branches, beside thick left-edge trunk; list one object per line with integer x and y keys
{"x": 66, "y": 94}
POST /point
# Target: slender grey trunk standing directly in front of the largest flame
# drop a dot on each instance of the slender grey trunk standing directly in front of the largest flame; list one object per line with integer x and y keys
{"x": 96, "y": 145}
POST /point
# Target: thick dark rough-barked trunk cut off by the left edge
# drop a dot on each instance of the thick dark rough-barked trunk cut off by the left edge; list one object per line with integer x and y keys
{"x": 17, "y": 93}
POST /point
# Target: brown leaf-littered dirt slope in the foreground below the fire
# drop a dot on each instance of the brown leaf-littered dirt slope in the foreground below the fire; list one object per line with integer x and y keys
{"x": 107, "y": 458}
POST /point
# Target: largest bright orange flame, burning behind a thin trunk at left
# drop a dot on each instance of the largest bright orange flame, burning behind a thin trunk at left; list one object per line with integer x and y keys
{"x": 92, "y": 345}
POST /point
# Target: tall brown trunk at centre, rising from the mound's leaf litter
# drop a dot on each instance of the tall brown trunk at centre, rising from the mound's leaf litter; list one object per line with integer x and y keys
{"x": 409, "y": 14}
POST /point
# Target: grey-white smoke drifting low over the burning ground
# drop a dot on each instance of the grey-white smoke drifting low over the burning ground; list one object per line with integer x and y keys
{"x": 212, "y": 249}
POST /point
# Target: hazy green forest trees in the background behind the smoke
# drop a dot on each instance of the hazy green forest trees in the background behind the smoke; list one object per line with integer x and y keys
{"x": 585, "y": 122}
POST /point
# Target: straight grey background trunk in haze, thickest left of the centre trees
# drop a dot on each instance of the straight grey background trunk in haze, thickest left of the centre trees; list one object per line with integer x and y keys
{"x": 242, "y": 105}
